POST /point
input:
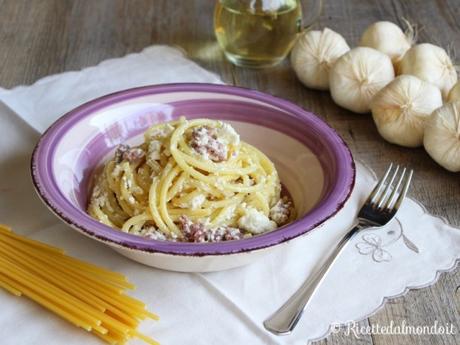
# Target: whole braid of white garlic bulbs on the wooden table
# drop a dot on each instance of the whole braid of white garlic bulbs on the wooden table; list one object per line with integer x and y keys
{"x": 408, "y": 110}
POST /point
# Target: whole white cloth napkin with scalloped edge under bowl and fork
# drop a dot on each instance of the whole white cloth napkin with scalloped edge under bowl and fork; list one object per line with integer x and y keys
{"x": 215, "y": 308}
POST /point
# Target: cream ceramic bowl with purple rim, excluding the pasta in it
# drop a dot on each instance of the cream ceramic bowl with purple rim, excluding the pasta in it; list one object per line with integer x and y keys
{"x": 314, "y": 164}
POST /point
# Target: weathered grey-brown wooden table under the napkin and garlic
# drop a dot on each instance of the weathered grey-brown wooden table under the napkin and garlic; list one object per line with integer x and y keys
{"x": 42, "y": 37}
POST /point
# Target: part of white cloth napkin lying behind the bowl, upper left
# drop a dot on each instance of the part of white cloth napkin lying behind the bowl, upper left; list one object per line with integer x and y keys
{"x": 42, "y": 103}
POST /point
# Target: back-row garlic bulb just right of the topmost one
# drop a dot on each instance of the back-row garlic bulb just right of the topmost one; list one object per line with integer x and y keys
{"x": 432, "y": 64}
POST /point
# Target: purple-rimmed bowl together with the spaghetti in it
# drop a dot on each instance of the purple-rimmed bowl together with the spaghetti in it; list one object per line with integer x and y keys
{"x": 291, "y": 148}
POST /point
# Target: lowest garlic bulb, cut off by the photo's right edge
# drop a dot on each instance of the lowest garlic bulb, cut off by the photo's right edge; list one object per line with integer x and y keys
{"x": 442, "y": 136}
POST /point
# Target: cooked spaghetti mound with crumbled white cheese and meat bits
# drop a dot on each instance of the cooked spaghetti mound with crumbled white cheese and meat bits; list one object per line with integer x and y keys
{"x": 192, "y": 181}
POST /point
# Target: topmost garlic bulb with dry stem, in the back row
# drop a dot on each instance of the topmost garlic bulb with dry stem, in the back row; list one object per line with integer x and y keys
{"x": 389, "y": 39}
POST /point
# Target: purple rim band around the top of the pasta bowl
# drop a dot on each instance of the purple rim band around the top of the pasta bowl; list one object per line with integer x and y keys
{"x": 49, "y": 193}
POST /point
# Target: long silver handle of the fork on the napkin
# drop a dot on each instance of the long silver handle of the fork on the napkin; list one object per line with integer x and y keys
{"x": 284, "y": 320}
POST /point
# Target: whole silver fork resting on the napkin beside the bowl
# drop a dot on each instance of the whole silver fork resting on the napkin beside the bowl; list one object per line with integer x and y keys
{"x": 379, "y": 208}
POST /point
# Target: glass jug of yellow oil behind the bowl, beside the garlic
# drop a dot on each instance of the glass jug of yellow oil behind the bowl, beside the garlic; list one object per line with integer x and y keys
{"x": 260, "y": 33}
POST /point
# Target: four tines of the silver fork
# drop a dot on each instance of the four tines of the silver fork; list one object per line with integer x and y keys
{"x": 387, "y": 195}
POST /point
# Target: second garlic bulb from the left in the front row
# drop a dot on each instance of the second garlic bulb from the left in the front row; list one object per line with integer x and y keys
{"x": 357, "y": 76}
